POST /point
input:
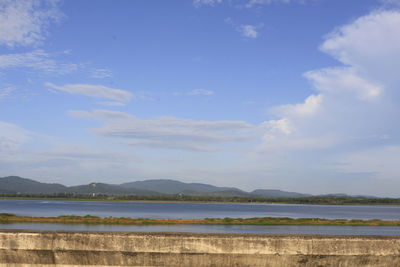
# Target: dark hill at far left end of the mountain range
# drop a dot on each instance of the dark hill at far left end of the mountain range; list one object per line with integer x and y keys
{"x": 15, "y": 184}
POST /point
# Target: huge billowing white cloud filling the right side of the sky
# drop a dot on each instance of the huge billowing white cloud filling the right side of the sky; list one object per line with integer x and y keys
{"x": 354, "y": 106}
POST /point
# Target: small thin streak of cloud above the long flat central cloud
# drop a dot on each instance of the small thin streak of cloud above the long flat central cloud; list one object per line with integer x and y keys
{"x": 97, "y": 91}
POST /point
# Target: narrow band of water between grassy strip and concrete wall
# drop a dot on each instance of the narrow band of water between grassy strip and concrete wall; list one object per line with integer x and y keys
{"x": 254, "y": 229}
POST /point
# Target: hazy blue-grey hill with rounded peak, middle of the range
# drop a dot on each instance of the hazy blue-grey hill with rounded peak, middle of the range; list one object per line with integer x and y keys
{"x": 166, "y": 186}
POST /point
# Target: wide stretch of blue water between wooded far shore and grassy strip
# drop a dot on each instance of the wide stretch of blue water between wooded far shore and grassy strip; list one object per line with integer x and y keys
{"x": 195, "y": 210}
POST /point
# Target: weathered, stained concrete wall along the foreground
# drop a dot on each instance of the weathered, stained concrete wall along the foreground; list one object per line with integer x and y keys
{"x": 50, "y": 248}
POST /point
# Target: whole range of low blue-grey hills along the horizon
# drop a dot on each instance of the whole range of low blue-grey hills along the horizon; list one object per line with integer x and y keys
{"x": 18, "y": 185}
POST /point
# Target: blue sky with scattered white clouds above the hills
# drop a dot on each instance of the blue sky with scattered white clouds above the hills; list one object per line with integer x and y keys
{"x": 297, "y": 95}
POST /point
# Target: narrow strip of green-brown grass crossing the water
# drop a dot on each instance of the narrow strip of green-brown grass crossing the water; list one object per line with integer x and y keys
{"x": 88, "y": 219}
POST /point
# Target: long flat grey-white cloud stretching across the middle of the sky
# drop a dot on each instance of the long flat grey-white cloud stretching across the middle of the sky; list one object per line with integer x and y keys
{"x": 168, "y": 132}
